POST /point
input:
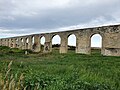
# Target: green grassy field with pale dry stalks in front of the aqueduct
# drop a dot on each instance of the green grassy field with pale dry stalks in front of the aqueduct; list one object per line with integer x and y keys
{"x": 54, "y": 71}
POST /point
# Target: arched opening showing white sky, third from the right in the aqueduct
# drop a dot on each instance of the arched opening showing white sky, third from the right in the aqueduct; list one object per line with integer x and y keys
{"x": 56, "y": 41}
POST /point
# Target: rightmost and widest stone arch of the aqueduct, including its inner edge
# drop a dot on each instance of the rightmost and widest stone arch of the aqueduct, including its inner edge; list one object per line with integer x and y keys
{"x": 96, "y": 42}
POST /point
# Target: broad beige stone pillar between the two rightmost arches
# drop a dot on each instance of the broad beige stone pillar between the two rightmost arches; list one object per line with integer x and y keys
{"x": 83, "y": 43}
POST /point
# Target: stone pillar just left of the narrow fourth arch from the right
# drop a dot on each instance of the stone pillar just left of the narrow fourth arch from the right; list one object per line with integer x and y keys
{"x": 36, "y": 45}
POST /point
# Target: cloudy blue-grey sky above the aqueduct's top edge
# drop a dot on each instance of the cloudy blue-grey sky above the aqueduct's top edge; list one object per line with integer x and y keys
{"x": 21, "y": 17}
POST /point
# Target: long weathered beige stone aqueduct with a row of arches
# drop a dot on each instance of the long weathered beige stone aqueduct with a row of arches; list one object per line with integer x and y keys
{"x": 110, "y": 40}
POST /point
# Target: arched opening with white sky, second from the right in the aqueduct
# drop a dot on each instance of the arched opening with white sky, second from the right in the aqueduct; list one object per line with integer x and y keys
{"x": 71, "y": 42}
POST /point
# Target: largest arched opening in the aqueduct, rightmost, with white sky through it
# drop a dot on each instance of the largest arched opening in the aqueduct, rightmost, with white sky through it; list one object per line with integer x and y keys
{"x": 96, "y": 43}
